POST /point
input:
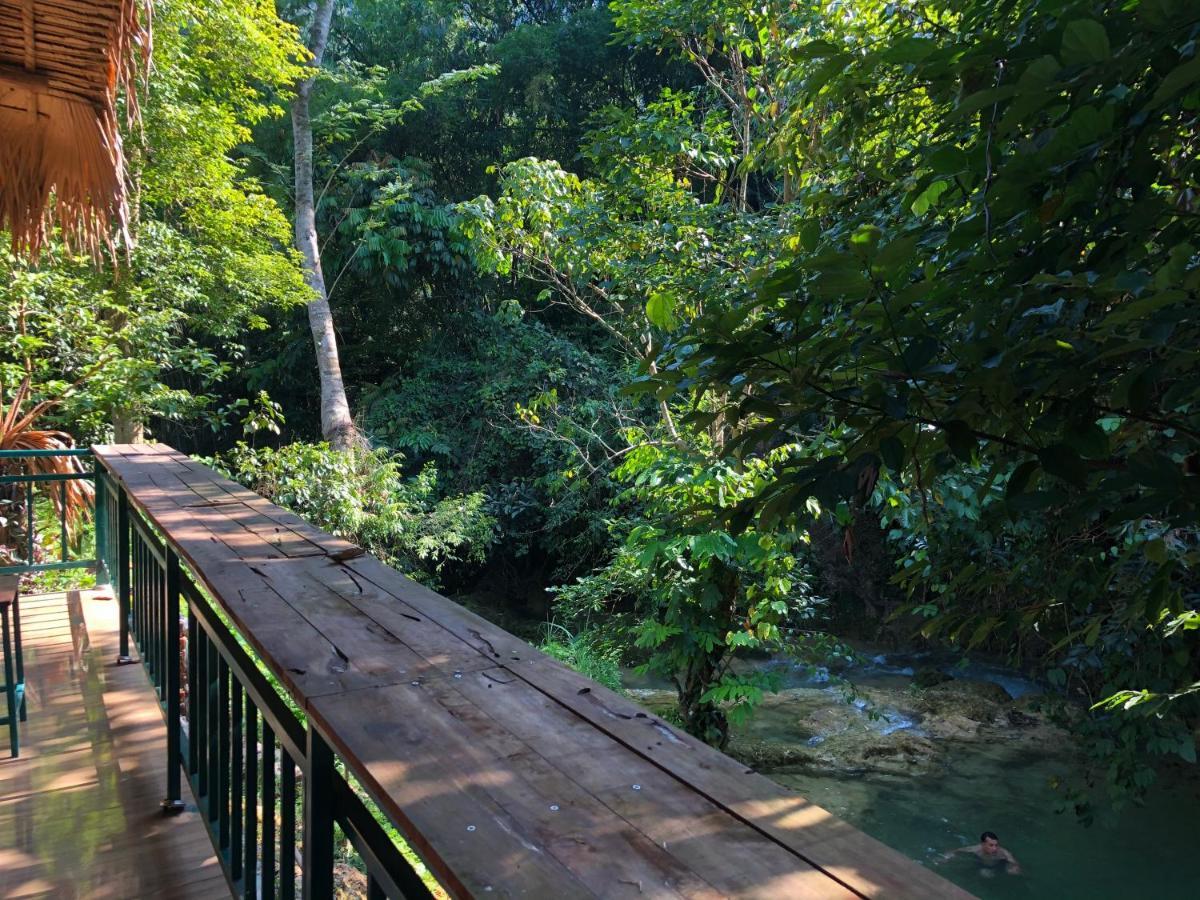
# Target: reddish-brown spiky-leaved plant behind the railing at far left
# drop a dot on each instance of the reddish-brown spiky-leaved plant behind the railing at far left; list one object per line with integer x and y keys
{"x": 74, "y": 500}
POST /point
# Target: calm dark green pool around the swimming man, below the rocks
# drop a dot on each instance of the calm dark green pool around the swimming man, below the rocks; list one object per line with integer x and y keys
{"x": 1147, "y": 853}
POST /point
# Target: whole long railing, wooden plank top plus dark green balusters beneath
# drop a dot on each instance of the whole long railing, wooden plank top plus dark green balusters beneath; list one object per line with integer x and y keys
{"x": 323, "y": 692}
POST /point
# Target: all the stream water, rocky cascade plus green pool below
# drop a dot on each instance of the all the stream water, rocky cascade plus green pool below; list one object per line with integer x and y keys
{"x": 963, "y": 788}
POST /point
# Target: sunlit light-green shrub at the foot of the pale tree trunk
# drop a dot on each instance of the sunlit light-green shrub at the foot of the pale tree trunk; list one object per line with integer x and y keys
{"x": 365, "y": 497}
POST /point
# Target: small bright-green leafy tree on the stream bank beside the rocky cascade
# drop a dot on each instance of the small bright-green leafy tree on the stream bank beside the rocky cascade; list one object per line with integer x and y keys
{"x": 693, "y": 595}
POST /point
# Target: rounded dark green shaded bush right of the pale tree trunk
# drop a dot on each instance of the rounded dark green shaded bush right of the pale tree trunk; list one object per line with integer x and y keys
{"x": 525, "y": 415}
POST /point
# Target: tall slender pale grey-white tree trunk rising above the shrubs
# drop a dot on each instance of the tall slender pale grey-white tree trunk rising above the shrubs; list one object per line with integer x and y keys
{"x": 337, "y": 424}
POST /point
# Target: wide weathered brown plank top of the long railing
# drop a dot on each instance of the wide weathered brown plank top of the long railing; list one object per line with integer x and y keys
{"x": 512, "y": 775}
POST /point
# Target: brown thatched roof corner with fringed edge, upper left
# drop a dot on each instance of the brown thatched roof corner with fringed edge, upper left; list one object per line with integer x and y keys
{"x": 62, "y": 67}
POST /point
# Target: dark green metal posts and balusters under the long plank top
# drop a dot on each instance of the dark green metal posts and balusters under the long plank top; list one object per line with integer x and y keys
{"x": 241, "y": 730}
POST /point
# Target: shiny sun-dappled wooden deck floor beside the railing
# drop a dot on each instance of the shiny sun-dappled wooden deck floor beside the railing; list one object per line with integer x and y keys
{"x": 80, "y": 809}
